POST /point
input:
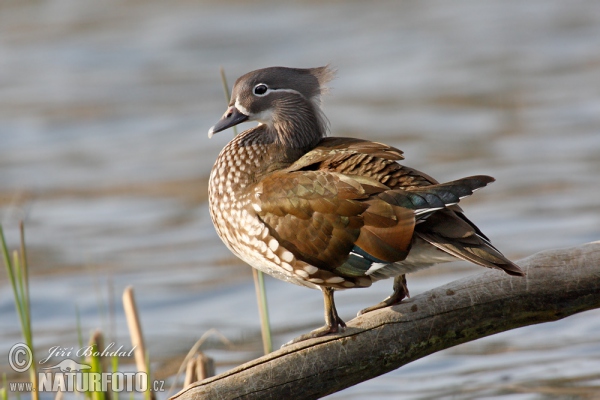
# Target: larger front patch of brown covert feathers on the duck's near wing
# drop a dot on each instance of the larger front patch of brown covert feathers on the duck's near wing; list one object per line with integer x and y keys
{"x": 314, "y": 214}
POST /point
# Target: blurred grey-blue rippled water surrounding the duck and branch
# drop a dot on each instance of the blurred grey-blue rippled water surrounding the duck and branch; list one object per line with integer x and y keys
{"x": 104, "y": 109}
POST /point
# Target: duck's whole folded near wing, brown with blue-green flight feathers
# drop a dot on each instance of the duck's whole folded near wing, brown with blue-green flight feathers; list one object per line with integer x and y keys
{"x": 342, "y": 224}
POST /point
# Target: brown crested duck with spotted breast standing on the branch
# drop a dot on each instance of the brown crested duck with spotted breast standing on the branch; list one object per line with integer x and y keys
{"x": 331, "y": 213}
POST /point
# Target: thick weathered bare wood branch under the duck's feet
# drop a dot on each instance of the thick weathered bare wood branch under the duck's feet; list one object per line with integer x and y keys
{"x": 559, "y": 283}
